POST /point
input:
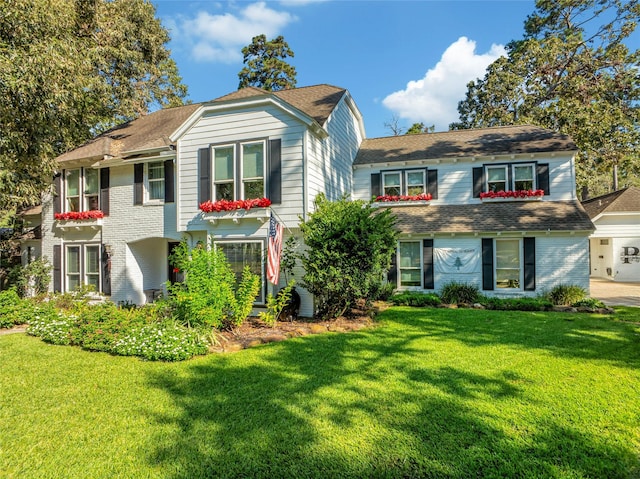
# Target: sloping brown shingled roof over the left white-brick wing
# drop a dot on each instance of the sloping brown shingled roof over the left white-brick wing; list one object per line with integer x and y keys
{"x": 147, "y": 132}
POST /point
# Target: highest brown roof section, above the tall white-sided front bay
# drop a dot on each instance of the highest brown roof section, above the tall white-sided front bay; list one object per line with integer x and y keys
{"x": 317, "y": 101}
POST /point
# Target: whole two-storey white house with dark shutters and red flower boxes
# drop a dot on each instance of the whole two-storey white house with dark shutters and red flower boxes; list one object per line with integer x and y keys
{"x": 126, "y": 198}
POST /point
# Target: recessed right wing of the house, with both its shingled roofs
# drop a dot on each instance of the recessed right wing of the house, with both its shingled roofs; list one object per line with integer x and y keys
{"x": 474, "y": 229}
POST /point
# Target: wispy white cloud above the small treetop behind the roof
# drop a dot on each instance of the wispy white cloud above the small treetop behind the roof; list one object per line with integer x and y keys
{"x": 220, "y": 37}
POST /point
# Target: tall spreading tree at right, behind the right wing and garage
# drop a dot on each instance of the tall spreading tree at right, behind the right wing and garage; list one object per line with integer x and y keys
{"x": 571, "y": 72}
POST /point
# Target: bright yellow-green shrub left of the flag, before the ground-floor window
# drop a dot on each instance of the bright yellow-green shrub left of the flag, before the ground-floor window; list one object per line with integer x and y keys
{"x": 209, "y": 297}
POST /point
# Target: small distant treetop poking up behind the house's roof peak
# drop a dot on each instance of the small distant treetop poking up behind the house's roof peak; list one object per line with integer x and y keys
{"x": 265, "y": 65}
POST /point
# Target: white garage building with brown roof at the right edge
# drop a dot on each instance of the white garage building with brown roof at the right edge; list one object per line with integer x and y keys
{"x": 615, "y": 244}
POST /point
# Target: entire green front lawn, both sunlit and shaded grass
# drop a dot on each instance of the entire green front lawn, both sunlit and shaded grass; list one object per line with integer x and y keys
{"x": 427, "y": 393}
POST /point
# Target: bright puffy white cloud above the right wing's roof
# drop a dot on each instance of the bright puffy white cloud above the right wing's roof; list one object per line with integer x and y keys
{"x": 433, "y": 100}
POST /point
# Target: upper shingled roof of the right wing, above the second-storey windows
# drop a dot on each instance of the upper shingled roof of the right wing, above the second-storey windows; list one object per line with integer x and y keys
{"x": 463, "y": 143}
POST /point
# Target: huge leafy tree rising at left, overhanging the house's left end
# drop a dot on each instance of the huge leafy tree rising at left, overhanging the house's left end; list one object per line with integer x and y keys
{"x": 68, "y": 71}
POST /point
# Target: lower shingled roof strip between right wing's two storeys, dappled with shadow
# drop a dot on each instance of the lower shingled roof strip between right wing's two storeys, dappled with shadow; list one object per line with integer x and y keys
{"x": 511, "y": 216}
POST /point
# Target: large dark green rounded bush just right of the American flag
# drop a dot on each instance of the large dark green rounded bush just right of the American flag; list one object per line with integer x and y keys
{"x": 348, "y": 249}
